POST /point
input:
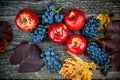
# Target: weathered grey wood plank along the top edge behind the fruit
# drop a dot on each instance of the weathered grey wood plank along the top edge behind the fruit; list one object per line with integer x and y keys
{"x": 92, "y": 7}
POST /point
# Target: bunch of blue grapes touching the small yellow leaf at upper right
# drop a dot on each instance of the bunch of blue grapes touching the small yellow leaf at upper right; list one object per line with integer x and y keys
{"x": 91, "y": 27}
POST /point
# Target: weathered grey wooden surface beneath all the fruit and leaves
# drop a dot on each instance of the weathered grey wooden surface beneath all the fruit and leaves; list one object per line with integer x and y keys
{"x": 8, "y": 10}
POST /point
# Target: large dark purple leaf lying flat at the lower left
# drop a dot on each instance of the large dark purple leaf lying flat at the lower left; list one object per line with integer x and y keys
{"x": 27, "y": 56}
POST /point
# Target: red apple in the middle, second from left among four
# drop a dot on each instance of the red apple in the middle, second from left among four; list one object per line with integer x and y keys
{"x": 58, "y": 33}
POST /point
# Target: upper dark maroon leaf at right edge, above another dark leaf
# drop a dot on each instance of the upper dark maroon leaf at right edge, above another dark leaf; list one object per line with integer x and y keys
{"x": 111, "y": 42}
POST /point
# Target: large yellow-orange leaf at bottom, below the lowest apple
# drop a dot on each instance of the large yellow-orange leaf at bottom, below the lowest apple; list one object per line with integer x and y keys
{"x": 77, "y": 69}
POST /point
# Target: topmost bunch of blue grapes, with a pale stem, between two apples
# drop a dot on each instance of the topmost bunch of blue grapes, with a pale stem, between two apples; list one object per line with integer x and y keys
{"x": 50, "y": 16}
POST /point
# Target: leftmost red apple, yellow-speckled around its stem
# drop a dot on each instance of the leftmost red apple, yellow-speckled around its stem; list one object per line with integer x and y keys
{"x": 26, "y": 20}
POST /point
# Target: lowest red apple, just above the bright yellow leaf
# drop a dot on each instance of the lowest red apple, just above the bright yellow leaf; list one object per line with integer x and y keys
{"x": 76, "y": 44}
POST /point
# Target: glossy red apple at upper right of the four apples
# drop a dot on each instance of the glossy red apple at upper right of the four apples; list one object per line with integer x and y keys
{"x": 74, "y": 19}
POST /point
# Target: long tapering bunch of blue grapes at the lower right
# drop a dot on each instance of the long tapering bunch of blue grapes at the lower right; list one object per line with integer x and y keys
{"x": 100, "y": 57}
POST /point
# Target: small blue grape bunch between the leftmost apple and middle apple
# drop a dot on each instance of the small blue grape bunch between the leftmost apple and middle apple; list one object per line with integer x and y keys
{"x": 38, "y": 34}
